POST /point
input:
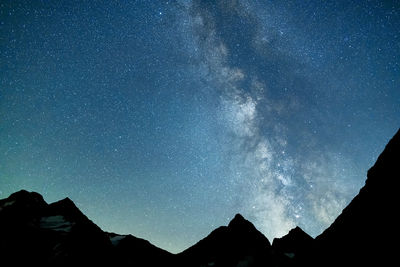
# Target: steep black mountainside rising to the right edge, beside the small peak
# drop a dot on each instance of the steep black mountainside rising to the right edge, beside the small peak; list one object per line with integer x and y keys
{"x": 367, "y": 230}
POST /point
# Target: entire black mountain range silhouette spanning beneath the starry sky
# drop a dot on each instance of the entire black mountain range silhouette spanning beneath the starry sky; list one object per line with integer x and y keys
{"x": 35, "y": 233}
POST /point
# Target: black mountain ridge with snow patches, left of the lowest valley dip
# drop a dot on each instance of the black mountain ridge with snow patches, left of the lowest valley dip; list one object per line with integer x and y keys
{"x": 33, "y": 232}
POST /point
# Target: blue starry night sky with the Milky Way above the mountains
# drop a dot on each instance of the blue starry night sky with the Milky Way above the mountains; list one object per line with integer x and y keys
{"x": 163, "y": 119}
